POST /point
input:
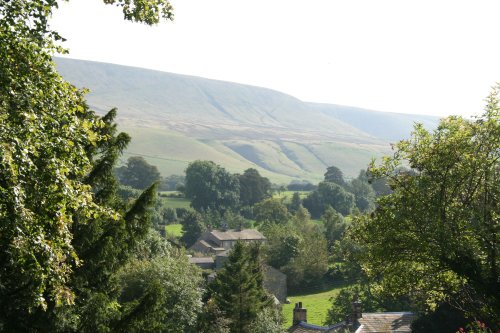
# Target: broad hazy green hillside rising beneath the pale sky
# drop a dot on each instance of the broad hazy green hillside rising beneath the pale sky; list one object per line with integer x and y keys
{"x": 175, "y": 119}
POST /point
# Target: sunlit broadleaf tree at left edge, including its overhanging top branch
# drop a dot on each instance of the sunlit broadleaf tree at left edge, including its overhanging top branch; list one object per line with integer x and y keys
{"x": 46, "y": 165}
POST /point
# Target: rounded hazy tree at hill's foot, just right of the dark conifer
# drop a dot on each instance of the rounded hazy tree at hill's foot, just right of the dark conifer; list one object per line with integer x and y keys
{"x": 138, "y": 173}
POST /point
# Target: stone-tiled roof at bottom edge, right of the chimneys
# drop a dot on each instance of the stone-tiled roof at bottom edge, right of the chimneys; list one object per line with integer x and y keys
{"x": 393, "y": 322}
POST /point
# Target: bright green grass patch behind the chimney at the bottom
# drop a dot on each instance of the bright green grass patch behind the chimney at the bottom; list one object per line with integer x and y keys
{"x": 317, "y": 305}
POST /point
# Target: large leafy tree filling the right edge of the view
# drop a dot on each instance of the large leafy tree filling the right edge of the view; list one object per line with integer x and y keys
{"x": 436, "y": 236}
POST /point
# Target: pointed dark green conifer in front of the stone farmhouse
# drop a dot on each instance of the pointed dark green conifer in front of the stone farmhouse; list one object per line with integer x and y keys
{"x": 238, "y": 291}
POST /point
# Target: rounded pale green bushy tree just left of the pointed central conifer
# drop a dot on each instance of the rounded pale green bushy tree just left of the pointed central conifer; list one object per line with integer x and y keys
{"x": 159, "y": 295}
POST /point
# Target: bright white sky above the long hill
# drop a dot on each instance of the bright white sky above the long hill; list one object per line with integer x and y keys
{"x": 422, "y": 57}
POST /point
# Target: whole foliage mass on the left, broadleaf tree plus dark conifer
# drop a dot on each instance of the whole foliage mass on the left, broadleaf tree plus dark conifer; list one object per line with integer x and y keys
{"x": 63, "y": 230}
